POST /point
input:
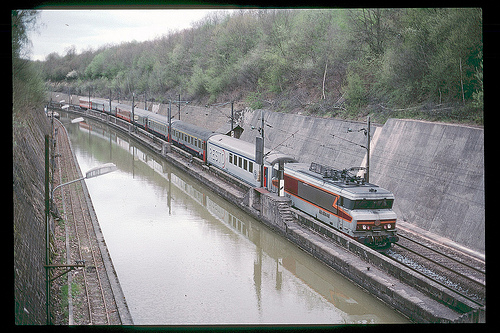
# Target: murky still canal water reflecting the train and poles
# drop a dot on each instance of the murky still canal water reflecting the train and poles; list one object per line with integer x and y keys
{"x": 185, "y": 256}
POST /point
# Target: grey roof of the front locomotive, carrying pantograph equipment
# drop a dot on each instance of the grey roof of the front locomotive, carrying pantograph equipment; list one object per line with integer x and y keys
{"x": 366, "y": 189}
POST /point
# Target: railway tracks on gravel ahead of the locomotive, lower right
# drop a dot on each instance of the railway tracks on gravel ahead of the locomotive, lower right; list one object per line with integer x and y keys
{"x": 449, "y": 268}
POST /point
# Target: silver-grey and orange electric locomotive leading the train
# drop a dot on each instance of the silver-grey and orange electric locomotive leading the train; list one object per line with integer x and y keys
{"x": 360, "y": 210}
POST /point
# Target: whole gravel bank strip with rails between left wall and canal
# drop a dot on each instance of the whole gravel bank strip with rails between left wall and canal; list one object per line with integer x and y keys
{"x": 91, "y": 295}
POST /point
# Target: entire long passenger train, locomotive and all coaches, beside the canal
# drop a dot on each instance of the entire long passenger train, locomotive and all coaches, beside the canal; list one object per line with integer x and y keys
{"x": 338, "y": 198}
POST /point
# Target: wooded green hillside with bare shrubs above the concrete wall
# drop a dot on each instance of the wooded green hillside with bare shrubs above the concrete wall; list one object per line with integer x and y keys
{"x": 412, "y": 63}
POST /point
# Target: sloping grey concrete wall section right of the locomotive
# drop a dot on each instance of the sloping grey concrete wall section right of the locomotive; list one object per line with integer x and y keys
{"x": 436, "y": 172}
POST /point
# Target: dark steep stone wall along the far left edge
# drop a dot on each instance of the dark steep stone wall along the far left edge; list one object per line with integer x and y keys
{"x": 28, "y": 174}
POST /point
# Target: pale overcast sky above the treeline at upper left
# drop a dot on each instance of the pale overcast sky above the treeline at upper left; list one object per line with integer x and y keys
{"x": 58, "y": 30}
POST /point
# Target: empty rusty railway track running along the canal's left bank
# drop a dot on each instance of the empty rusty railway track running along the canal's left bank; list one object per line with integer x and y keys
{"x": 92, "y": 296}
